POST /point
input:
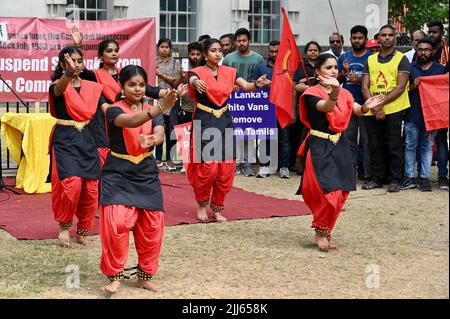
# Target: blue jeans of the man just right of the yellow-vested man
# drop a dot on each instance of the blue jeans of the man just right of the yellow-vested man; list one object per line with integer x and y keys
{"x": 418, "y": 137}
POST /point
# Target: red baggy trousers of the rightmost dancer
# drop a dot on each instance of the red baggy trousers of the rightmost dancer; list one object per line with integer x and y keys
{"x": 324, "y": 207}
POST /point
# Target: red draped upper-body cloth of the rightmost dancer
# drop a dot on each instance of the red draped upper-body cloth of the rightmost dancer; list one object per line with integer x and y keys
{"x": 339, "y": 118}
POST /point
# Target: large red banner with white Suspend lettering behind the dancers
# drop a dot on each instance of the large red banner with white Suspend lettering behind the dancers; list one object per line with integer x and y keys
{"x": 29, "y": 50}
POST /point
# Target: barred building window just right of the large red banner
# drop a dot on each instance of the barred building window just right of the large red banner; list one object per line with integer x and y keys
{"x": 178, "y": 20}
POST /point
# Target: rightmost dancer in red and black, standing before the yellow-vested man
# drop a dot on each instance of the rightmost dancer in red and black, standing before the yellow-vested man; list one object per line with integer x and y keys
{"x": 329, "y": 175}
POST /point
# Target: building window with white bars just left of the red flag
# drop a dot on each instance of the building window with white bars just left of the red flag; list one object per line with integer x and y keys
{"x": 264, "y": 20}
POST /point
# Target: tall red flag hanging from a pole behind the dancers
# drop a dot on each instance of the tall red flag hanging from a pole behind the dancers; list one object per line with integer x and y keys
{"x": 286, "y": 64}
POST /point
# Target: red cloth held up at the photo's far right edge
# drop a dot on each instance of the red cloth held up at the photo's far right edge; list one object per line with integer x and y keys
{"x": 434, "y": 91}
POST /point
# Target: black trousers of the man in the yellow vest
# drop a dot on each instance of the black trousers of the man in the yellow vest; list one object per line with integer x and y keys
{"x": 385, "y": 134}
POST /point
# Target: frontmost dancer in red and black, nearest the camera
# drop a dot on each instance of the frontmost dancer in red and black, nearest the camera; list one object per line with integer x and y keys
{"x": 131, "y": 196}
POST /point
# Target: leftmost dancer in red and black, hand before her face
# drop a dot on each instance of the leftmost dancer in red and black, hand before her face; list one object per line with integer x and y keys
{"x": 75, "y": 167}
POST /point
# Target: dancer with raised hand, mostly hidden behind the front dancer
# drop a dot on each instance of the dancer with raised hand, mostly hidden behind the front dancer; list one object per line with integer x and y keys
{"x": 108, "y": 76}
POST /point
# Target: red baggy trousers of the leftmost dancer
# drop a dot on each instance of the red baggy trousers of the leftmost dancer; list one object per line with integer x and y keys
{"x": 74, "y": 196}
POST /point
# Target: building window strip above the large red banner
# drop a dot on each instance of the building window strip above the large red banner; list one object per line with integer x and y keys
{"x": 87, "y": 9}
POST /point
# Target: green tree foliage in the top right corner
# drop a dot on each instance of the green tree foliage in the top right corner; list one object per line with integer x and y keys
{"x": 415, "y": 13}
